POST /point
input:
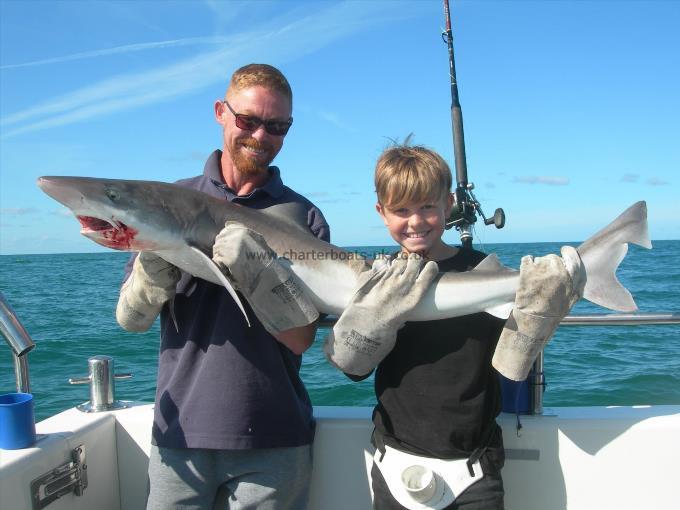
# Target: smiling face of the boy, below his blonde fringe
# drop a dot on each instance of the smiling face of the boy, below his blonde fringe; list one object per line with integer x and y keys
{"x": 418, "y": 226}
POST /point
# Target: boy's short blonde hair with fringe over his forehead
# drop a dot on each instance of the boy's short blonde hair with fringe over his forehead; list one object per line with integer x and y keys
{"x": 406, "y": 174}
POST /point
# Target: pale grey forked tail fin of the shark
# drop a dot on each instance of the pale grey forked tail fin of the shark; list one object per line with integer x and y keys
{"x": 602, "y": 253}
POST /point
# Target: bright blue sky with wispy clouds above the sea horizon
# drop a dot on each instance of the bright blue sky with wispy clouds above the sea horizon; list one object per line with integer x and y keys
{"x": 571, "y": 109}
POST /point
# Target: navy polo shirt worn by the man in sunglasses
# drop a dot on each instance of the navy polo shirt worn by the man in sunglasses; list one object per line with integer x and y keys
{"x": 223, "y": 385}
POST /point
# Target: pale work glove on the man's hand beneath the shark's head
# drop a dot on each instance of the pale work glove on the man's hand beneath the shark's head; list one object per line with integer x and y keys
{"x": 151, "y": 283}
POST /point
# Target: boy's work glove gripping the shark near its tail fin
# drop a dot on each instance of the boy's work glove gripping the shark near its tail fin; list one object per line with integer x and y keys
{"x": 548, "y": 288}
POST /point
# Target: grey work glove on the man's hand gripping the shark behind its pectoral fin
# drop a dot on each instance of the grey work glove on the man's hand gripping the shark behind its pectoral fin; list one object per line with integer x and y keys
{"x": 274, "y": 294}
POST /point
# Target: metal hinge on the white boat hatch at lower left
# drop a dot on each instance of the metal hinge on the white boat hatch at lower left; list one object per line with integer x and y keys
{"x": 62, "y": 480}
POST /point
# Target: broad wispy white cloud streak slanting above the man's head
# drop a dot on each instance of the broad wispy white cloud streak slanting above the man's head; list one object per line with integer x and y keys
{"x": 283, "y": 39}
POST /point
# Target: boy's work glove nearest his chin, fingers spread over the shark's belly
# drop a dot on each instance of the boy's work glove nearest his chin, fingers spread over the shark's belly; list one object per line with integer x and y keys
{"x": 367, "y": 330}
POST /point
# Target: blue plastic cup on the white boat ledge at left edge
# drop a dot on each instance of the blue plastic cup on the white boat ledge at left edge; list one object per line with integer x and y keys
{"x": 17, "y": 422}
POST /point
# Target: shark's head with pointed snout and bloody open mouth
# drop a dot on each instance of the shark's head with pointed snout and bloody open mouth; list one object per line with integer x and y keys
{"x": 118, "y": 214}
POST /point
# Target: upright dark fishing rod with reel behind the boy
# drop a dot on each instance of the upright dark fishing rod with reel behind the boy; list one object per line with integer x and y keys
{"x": 465, "y": 204}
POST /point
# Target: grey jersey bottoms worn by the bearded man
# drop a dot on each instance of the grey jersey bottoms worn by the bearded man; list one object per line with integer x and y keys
{"x": 267, "y": 479}
